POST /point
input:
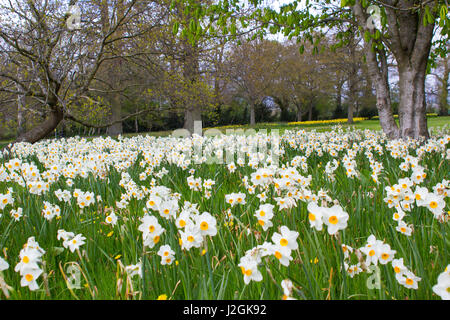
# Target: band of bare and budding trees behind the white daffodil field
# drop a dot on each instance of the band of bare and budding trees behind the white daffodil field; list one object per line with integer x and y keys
{"x": 152, "y": 65}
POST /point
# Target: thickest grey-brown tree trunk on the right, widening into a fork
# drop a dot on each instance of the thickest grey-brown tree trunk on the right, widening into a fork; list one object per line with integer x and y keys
{"x": 410, "y": 42}
